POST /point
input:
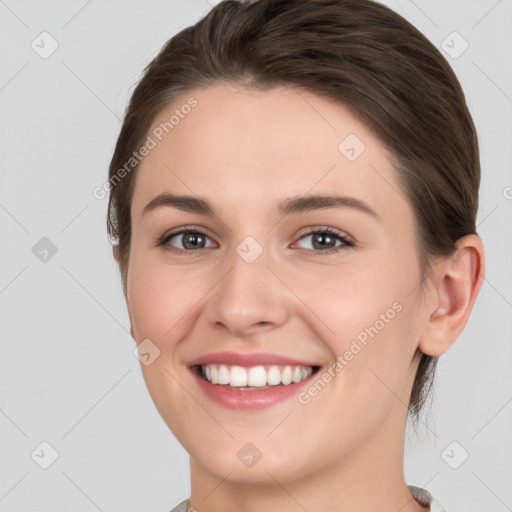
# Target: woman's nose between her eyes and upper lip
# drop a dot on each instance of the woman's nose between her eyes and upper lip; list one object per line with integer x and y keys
{"x": 248, "y": 299}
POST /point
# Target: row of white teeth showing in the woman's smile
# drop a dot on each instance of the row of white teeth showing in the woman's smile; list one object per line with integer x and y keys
{"x": 254, "y": 376}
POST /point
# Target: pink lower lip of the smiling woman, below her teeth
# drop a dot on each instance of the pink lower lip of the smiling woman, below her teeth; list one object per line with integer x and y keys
{"x": 250, "y": 400}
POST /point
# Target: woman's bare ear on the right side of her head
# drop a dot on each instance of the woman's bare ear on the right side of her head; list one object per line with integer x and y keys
{"x": 455, "y": 286}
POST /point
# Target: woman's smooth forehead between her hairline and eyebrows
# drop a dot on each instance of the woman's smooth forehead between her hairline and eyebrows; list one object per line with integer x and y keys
{"x": 259, "y": 145}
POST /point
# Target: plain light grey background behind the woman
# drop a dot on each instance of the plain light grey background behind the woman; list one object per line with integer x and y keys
{"x": 68, "y": 374}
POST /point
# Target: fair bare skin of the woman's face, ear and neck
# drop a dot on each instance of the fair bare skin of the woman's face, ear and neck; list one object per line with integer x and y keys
{"x": 244, "y": 152}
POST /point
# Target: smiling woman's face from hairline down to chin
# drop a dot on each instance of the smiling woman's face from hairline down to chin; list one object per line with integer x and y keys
{"x": 239, "y": 271}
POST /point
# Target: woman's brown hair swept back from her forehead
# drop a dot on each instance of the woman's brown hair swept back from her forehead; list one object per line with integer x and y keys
{"x": 356, "y": 52}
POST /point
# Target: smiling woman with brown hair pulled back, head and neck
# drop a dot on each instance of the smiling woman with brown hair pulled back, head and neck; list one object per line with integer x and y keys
{"x": 293, "y": 198}
